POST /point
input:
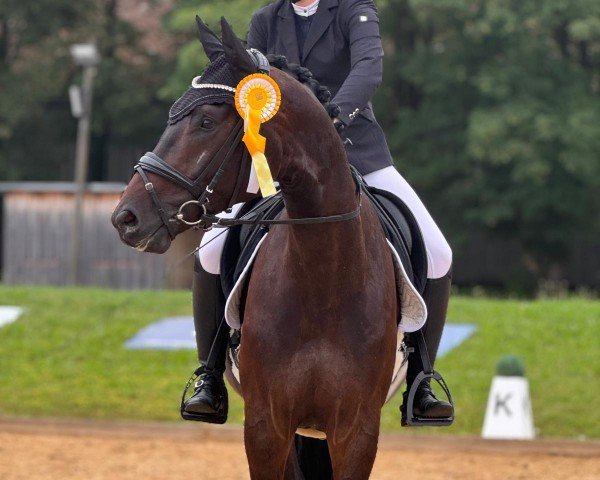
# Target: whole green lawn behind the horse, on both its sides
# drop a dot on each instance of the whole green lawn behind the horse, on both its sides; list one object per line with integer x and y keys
{"x": 65, "y": 358}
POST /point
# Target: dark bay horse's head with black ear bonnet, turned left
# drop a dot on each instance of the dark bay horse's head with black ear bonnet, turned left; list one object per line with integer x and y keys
{"x": 202, "y": 140}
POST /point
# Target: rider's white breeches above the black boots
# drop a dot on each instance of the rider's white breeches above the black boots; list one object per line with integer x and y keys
{"x": 439, "y": 254}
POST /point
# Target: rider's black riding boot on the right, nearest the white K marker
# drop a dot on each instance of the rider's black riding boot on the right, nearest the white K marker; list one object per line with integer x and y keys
{"x": 436, "y": 296}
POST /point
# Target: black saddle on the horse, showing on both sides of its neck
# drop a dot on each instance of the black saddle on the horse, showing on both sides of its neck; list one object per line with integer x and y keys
{"x": 398, "y": 223}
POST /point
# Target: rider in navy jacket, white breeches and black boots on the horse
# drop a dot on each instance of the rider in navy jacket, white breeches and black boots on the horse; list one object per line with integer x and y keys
{"x": 340, "y": 43}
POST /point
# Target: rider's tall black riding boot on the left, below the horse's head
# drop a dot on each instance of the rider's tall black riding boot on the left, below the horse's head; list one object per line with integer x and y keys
{"x": 209, "y": 401}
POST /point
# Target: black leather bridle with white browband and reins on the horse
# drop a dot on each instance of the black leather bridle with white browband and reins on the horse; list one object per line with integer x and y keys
{"x": 152, "y": 163}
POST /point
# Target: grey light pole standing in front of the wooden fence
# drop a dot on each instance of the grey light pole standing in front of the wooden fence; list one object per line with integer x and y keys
{"x": 85, "y": 55}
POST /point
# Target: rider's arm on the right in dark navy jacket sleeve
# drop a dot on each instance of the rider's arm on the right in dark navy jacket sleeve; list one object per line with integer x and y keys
{"x": 360, "y": 23}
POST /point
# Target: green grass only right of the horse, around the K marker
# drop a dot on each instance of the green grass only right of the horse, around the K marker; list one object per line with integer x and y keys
{"x": 559, "y": 343}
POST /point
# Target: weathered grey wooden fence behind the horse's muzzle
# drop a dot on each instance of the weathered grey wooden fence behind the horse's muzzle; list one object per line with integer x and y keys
{"x": 36, "y": 245}
